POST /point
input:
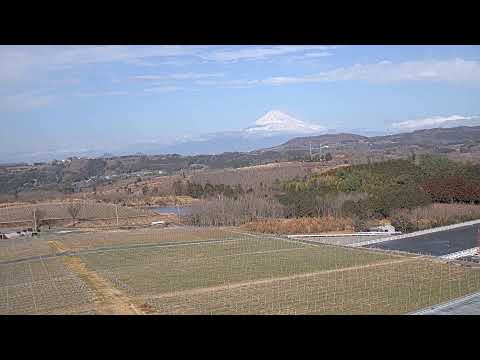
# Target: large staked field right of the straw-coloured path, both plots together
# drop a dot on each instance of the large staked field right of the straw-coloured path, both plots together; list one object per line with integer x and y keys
{"x": 269, "y": 276}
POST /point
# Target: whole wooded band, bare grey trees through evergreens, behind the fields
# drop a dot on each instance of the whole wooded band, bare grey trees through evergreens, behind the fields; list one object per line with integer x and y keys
{"x": 363, "y": 195}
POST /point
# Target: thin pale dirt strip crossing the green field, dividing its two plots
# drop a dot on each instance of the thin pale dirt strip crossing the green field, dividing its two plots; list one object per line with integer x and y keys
{"x": 272, "y": 280}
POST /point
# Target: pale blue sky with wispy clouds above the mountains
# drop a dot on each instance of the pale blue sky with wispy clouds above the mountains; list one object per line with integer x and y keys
{"x": 55, "y": 98}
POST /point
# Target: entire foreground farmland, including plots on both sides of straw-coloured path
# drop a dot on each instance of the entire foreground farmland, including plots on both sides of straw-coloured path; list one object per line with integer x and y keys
{"x": 222, "y": 271}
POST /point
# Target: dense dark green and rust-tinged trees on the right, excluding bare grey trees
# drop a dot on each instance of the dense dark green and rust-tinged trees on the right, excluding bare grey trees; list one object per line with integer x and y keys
{"x": 375, "y": 190}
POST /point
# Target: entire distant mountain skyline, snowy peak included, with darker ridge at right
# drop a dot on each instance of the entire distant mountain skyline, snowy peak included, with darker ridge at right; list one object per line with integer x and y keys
{"x": 277, "y": 127}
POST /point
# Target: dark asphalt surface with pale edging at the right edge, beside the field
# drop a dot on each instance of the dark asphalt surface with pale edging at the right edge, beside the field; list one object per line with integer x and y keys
{"x": 436, "y": 244}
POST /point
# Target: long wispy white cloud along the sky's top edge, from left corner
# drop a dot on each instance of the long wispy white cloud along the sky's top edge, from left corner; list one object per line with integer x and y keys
{"x": 18, "y": 61}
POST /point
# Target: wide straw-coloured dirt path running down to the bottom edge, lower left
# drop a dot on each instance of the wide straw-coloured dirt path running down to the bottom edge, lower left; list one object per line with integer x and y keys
{"x": 109, "y": 300}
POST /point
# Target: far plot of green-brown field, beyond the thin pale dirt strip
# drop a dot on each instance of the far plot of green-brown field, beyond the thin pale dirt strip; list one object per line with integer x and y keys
{"x": 178, "y": 268}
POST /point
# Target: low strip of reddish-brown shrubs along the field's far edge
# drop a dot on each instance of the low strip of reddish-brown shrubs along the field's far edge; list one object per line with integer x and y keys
{"x": 301, "y": 225}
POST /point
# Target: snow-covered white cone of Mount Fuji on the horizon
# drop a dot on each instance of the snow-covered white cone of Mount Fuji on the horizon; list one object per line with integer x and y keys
{"x": 275, "y": 122}
